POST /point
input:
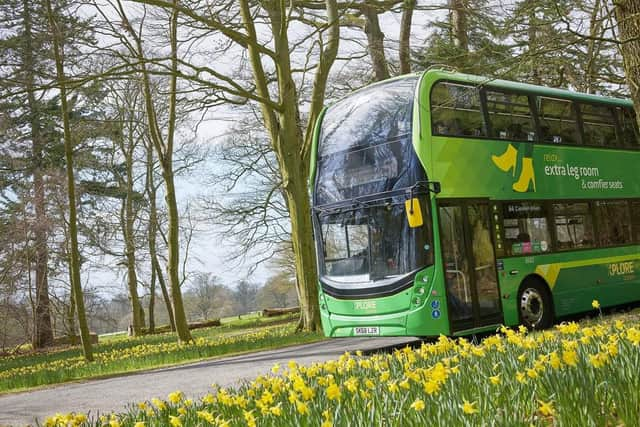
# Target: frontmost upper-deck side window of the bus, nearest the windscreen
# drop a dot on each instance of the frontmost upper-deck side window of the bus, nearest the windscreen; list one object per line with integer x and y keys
{"x": 455, "y": 110}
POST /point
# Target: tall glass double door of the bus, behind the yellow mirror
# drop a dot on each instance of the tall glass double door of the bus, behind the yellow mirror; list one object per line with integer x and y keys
{"x": 469, "y": 265}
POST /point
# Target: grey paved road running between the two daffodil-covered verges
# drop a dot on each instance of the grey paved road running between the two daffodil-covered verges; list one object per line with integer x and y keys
{"x": 113, "y": 394}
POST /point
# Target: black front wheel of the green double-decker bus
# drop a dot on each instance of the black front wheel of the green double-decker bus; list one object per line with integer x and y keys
{"x": 535, "y": 305}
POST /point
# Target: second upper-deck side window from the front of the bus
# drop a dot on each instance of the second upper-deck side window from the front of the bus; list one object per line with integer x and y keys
{"x": 510, "y": 116}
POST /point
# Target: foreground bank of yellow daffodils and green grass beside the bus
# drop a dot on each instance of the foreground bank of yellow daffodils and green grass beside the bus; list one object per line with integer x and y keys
{"x": 575, "y": 374}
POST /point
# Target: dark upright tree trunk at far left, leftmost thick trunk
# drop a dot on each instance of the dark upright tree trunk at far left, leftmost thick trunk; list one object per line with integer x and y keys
{"x": 42, "y": 331}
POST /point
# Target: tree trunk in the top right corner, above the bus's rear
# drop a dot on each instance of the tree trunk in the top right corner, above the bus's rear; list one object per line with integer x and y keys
{"x": 627, "y": 14}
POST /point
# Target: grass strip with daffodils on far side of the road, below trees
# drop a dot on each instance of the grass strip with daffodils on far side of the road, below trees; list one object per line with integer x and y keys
{"x": 121, "y": 354}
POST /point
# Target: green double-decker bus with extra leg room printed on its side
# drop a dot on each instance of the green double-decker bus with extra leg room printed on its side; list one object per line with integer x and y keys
{"x": 446, "y": 203}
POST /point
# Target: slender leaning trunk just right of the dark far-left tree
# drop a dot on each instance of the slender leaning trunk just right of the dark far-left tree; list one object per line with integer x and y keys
{"x": 74, "y": 261}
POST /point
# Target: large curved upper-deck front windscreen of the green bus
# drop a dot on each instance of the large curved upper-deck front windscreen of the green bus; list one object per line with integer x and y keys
{"x": 365, "y": 144}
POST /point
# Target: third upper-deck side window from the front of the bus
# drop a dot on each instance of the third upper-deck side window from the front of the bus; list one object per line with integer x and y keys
{"x": 558, "y": 121}
